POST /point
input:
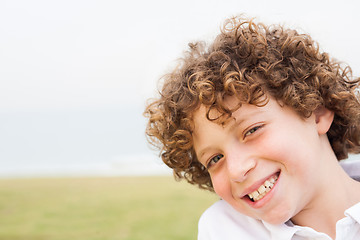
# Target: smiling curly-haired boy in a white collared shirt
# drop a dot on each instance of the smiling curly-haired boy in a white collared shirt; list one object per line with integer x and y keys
{"x": 262, "y": 118}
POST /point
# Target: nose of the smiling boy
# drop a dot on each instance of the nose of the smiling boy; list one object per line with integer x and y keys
{"x": 239, "y": 163}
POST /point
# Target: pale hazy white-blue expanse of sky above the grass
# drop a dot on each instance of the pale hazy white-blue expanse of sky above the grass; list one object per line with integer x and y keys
{"x": 75, "y": 75}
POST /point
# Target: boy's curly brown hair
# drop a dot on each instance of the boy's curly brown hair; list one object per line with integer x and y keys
{"x": 251, "y": 61}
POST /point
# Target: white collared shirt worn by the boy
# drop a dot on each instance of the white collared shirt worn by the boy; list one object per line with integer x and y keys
{"x": 222, "y": 222}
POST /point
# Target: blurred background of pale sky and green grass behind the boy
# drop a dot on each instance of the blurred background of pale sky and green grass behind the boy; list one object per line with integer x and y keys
{"x": 75, "y": 76}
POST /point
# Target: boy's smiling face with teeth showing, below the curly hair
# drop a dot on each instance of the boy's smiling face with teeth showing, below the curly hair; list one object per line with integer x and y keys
{"x": 265, "y": 162}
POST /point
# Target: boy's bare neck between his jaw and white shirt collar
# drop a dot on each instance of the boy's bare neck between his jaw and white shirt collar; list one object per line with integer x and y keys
{"x": 335, "y": 196}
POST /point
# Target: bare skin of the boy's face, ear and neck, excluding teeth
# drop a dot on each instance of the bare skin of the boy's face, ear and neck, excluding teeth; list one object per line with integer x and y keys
{"x": 261, "y": 142}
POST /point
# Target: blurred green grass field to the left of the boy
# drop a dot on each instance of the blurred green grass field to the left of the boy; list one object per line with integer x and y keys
{"x": 126, "y": 208}
